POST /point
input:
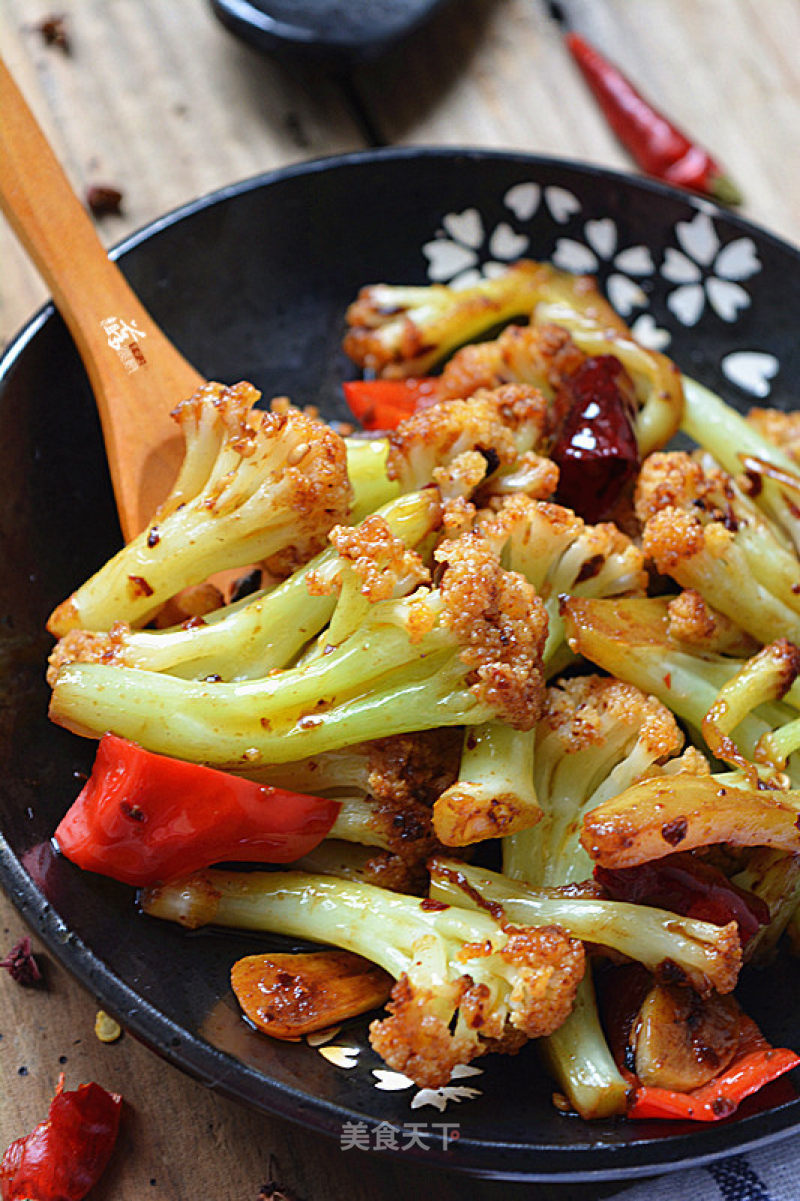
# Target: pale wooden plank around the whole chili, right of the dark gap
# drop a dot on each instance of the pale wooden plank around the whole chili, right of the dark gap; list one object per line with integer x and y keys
{"x": 498, "y": 75}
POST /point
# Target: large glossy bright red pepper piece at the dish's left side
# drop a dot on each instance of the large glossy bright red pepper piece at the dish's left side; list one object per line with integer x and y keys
{"x": 144, "y": 818}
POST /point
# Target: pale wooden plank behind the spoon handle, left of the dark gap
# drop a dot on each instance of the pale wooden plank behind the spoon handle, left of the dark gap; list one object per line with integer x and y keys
{"x": 163, "y": 103}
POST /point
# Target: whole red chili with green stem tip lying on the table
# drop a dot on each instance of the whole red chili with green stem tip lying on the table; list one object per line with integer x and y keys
{"x": 656, "y": 146}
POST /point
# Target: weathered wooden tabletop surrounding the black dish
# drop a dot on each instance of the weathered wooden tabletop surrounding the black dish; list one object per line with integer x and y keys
{"x": 157, "y": 99}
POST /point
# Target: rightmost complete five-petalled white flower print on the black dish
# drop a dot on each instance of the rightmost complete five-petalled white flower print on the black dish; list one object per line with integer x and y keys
{"x": 706, "y": 270}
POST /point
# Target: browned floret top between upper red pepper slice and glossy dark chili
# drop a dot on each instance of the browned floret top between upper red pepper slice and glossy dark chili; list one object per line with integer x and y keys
{"x": 542, "y": 356}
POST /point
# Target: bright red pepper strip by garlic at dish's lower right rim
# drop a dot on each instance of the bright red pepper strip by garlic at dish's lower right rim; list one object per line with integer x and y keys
{"x": 756, "y": 1065}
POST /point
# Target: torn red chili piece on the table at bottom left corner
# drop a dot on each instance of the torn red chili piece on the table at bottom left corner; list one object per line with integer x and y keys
{"x": 65, "y": 1156}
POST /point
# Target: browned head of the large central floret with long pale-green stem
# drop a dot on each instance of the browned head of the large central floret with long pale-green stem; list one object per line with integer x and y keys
{"x": 502, "y": 625}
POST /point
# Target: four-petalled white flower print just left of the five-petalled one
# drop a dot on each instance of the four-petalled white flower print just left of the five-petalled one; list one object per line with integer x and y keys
{"x": 602, "y": 247}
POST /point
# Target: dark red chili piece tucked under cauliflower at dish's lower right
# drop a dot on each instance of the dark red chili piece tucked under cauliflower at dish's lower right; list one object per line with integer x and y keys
{"x": 688, "y": 886}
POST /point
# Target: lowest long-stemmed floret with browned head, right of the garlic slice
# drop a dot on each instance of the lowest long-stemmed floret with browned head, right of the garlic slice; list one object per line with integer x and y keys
{"x": 467, "y": 983}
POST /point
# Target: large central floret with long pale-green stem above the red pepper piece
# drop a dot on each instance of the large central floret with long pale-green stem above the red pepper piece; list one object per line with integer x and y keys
{"x": 462, "y": 653}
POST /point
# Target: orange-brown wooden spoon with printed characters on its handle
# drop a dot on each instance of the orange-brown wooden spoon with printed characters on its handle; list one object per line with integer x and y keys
{"x": 136, "y": 373}
